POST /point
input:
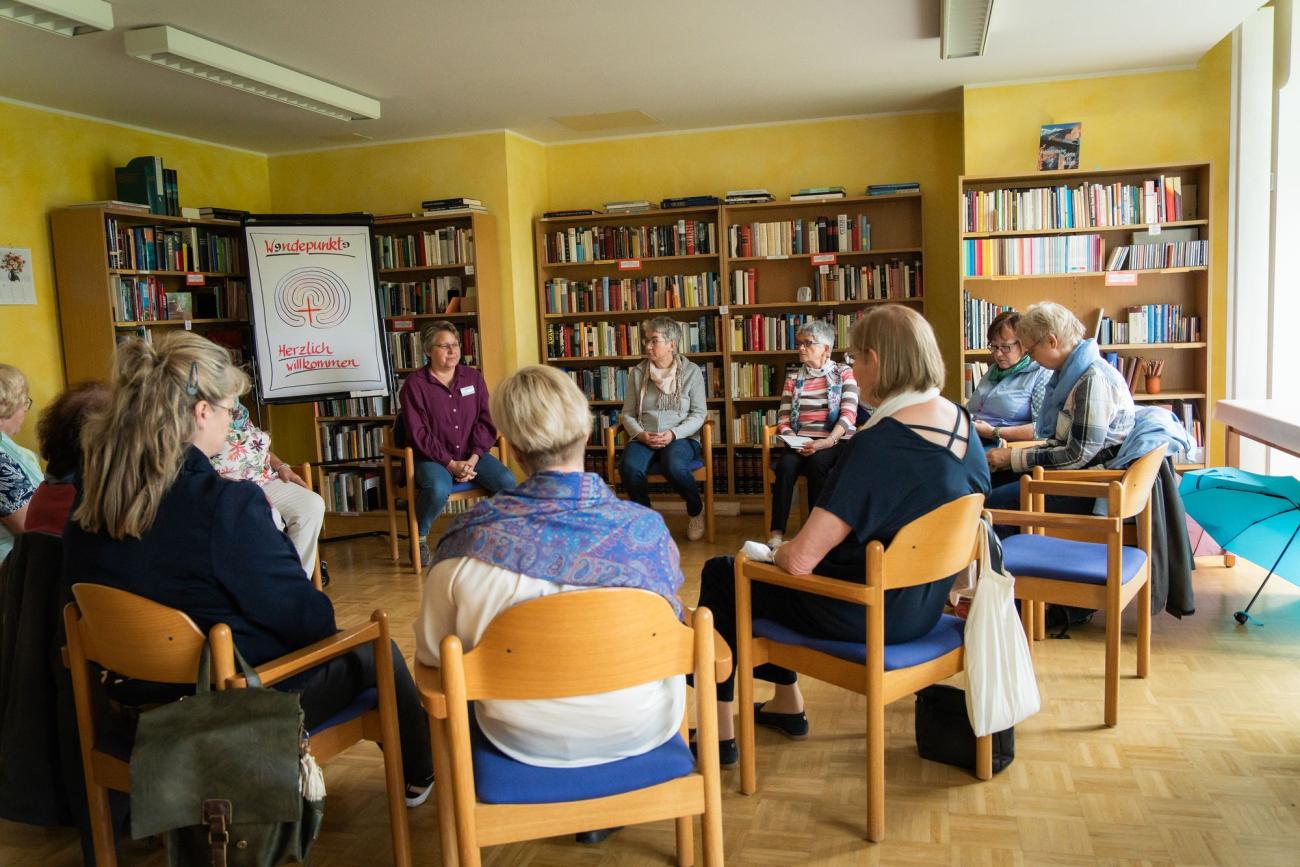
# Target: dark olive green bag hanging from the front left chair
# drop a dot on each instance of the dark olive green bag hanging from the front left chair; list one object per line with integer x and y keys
{"x": 222, "y": 777}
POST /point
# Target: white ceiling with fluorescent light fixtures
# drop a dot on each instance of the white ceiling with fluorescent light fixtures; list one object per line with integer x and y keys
{"x": 444, "y": 67}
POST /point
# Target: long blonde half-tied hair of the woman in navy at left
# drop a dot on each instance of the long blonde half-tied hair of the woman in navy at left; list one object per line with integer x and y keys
{"x": 135, "y": 450}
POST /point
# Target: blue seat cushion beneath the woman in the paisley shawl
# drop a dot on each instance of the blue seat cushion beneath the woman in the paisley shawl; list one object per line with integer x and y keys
{"x": 500, "y": 779}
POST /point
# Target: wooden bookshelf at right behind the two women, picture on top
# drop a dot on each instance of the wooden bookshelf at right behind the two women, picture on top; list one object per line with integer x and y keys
{"x": 1188, "y": 363}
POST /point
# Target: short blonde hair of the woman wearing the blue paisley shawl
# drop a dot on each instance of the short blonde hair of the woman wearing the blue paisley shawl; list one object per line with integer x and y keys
{"x": 544, "y": 417}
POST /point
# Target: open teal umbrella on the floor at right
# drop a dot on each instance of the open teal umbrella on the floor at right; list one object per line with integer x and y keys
{"x": 1254, "y": 517}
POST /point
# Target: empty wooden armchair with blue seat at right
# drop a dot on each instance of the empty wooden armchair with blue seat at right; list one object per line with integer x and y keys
{"x": 1102, "y": 574}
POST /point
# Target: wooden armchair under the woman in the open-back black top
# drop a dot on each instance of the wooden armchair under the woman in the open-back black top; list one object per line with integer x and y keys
{"x": 929, "y": 549}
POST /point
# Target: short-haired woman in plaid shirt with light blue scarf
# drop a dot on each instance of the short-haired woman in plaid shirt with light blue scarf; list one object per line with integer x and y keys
{"x": 1087, "y": 410}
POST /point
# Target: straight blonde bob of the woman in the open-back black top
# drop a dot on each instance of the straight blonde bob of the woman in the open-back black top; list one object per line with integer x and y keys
{"x": 904, "y": 344}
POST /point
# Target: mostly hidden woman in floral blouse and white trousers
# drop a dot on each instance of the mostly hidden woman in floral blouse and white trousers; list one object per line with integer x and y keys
{"x": 246, "y": 457}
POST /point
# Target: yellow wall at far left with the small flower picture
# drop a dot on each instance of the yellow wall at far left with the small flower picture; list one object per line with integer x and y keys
{"x": 51, "y": 161}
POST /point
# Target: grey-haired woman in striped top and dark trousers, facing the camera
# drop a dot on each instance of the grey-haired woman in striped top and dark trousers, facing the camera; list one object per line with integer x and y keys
{"x": 820, "y": 401}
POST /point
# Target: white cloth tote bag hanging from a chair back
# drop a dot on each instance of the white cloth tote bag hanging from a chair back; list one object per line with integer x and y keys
{"x": 1002, "y": 690}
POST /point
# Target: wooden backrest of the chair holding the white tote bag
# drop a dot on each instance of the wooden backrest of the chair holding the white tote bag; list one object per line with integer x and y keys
{"x": 933, "y": 547}
